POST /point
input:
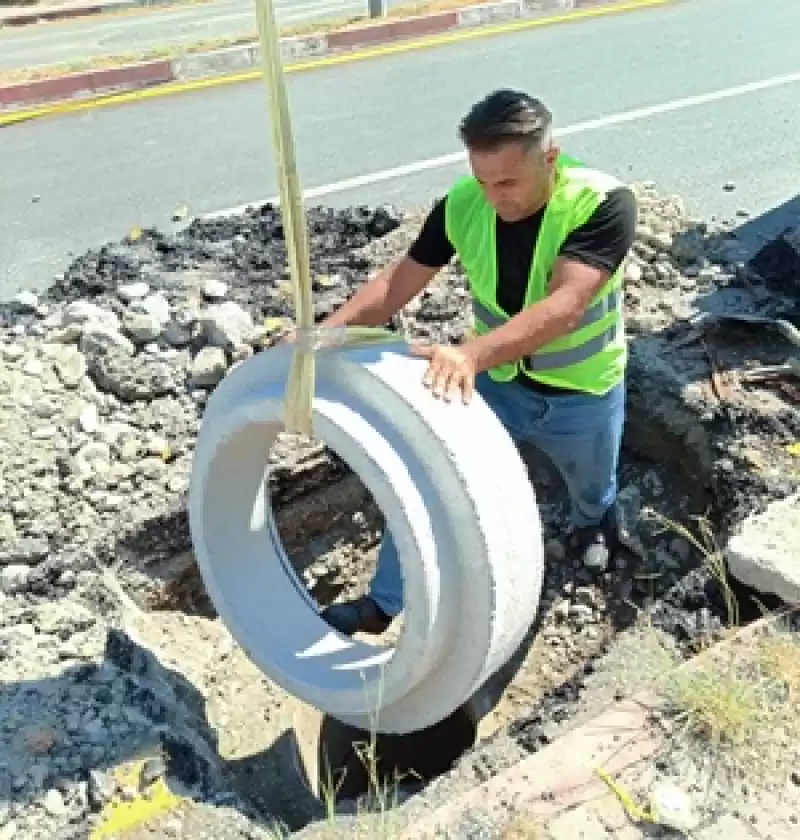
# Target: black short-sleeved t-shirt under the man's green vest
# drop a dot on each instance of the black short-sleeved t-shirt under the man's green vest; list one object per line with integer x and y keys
{"x": 602, "y": 242}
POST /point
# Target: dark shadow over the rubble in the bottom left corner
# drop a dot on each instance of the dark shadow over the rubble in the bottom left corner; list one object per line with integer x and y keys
{"x": 74, "y": 731}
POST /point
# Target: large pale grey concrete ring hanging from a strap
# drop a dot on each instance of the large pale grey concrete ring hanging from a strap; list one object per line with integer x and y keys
{"x": 456, "y": 497}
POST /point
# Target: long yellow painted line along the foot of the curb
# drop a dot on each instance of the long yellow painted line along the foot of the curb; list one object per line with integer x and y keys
{"x": 444, "y": 39}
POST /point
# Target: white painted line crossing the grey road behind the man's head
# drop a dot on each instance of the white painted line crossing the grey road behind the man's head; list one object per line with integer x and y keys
{"x": 442, "y": 161}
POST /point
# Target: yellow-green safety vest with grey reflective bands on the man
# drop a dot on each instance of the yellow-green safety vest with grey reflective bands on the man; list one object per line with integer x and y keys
{"x": 593, "y": 356}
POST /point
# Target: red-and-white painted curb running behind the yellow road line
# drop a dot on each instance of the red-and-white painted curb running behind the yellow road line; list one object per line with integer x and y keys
{"x": 247, "y": 57}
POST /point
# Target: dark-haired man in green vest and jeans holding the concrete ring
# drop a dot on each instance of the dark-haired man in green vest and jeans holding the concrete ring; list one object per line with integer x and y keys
{"x": 542, "y": 241}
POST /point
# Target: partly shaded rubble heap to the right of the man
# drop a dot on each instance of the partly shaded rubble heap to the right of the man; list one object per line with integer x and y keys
{"x": 693, "y": 365}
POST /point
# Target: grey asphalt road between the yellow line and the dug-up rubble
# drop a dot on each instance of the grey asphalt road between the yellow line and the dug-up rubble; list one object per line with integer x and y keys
{"x": 79, "y": 180}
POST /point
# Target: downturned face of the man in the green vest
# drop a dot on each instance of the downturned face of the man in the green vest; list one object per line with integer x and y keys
{"x": 516, "y": 181}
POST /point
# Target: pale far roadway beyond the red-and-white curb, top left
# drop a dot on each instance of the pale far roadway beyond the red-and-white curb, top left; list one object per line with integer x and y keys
{"x": 75, "y": 40}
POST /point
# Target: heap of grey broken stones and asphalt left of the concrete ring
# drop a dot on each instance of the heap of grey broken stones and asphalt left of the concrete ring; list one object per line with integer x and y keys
{"x": 104, "y": 378}
